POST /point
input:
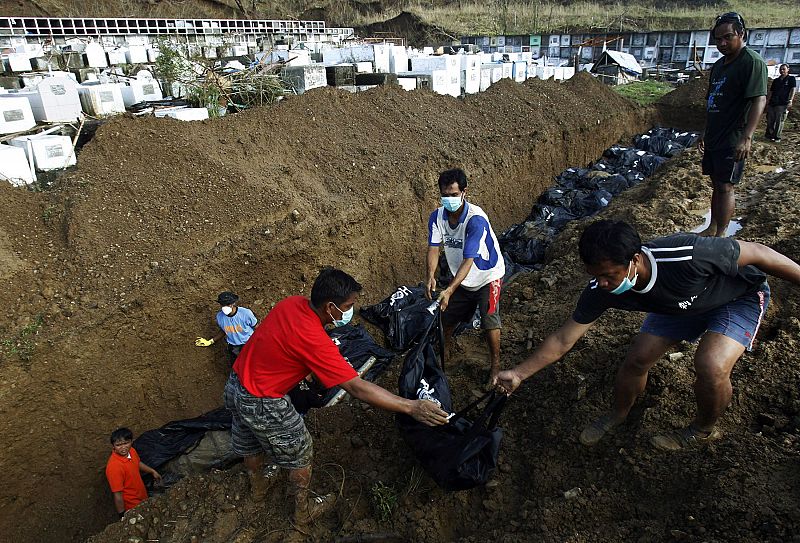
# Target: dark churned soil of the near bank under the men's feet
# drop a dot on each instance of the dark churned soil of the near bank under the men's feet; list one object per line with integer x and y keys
{"x": 549, "y": 487}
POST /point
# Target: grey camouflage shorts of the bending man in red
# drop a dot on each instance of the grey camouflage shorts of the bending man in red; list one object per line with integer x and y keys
{"x": 269, "y": 425}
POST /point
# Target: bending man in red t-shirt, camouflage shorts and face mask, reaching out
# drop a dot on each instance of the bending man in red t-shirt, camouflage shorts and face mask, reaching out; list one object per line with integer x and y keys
{"x": 290, "y": 344}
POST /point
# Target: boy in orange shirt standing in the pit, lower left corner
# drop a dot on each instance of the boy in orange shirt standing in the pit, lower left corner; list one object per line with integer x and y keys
{"x": 122, "y": 472}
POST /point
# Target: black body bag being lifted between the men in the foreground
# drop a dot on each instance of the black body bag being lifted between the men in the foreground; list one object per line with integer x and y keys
{"x": 462, "y": 454}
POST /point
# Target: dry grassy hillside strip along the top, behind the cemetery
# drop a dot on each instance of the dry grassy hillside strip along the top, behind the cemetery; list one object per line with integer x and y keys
{"x": 456, "y": 17}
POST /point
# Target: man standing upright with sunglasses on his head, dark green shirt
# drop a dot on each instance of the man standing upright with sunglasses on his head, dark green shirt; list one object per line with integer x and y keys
{"x": 736, "y": 96}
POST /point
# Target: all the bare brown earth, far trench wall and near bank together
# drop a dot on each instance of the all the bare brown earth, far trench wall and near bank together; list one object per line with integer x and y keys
{"x": 112, "y": 273}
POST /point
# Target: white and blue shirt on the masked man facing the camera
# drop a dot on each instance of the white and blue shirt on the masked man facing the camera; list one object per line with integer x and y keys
{"x": 472, "y": 237}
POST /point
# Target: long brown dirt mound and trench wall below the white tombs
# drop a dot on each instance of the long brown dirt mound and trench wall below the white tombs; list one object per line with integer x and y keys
{"x": 118, "y": 265}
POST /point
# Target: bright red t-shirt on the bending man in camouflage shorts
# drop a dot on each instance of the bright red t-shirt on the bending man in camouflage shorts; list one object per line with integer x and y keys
{"x": 288, "y": 345}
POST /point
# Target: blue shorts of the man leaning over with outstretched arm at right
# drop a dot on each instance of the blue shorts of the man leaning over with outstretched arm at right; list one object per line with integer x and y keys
{"x": 738, "y": 320}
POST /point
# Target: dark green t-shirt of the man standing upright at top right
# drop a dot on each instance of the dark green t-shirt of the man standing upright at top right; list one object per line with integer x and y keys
{"x": 730, "y": 90}
